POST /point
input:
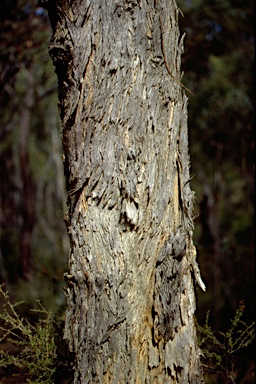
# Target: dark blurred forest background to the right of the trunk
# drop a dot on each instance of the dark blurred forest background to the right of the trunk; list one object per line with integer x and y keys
{"x": 218, "y": 67}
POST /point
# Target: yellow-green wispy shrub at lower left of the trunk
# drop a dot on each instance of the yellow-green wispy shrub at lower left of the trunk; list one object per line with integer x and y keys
{"x": 36, "y": 351}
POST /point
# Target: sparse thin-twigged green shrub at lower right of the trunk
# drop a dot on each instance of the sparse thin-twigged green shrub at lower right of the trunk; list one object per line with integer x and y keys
{"x": 219, "y": 351}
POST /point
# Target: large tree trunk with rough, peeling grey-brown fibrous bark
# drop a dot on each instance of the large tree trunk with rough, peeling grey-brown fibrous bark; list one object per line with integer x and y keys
{"x": 130, "y": 292}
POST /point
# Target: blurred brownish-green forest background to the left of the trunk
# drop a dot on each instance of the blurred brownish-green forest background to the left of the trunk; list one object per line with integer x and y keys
{"x": 33, "y": 236}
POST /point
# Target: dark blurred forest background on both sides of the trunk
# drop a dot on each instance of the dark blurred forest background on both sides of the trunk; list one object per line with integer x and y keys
{"x": 219, "y": 69}
